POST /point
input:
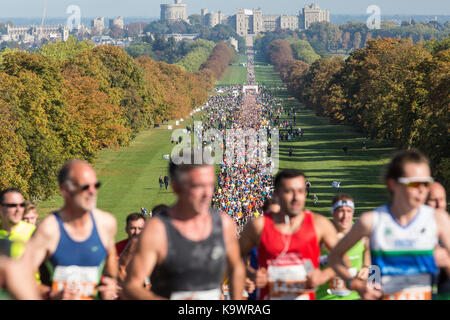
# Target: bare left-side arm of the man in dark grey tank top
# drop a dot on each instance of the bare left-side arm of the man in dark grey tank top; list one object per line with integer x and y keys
{"x": 152, "y": 240}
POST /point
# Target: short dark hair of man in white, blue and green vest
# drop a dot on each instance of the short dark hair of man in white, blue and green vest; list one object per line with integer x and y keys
{"x": 395, "y": 169}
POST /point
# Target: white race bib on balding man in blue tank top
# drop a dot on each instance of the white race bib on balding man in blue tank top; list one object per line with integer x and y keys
{"x": 82, "y": 280}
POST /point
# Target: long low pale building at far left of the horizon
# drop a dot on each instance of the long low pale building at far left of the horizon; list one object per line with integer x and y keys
{"x": 29, "y": 34}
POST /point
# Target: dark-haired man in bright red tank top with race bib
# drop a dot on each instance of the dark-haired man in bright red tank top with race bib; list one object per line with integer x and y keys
{"x": 289, "y": 243}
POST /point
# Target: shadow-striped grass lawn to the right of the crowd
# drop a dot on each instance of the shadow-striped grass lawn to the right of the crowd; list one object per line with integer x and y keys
{"x": 320, "y": 156}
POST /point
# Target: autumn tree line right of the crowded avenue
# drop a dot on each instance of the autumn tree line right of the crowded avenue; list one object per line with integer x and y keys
{"x": 391, "y": 90}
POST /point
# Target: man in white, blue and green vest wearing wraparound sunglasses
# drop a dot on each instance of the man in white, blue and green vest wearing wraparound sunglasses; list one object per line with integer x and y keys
{"x": 403, "y": 235}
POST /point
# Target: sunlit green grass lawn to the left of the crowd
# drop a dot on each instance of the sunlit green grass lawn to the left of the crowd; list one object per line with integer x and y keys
{"x": 130, "y": 175}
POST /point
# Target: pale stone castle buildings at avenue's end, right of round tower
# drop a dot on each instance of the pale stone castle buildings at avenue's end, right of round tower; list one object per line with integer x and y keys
{"x": 253, "y": 21}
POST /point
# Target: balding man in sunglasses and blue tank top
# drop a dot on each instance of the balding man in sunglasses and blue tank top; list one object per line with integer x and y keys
{"x": 76, "y": 243}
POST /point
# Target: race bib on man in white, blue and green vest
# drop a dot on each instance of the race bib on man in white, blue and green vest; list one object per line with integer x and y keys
{"x": 415, "y": 287}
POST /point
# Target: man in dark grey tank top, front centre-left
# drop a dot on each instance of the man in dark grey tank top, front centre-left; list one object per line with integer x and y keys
{"x": 187, "y": 247}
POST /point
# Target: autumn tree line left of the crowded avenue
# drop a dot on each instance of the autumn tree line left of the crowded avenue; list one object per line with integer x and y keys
{"x": 71, "y": 100}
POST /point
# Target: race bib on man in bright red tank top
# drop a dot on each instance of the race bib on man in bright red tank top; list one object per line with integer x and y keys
{"x": 287, "y": 277}
